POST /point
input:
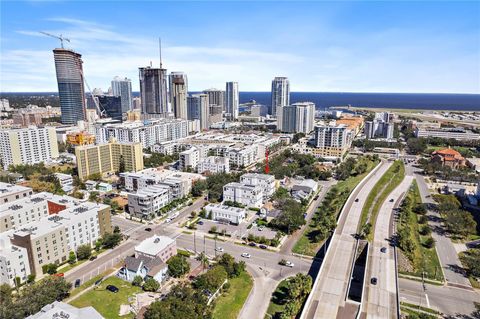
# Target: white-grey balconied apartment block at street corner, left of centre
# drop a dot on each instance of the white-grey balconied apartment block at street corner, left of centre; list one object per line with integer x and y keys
{"x": 146, "y": 202}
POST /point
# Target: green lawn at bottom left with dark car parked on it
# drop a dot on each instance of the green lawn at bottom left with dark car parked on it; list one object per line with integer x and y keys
{"x": 106, "y": 302}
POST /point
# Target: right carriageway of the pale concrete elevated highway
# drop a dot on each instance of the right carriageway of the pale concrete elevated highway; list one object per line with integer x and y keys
{"x": 380, "y": 300}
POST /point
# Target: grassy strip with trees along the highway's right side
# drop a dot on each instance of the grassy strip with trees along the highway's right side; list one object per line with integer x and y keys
{"x": 426, "y": 259}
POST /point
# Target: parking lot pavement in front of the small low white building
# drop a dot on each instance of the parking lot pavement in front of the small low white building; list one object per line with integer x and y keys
{"x": 236, "y": 232}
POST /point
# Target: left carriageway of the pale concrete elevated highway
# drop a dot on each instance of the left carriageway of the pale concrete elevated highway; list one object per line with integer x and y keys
{"x": 327, "y": 299}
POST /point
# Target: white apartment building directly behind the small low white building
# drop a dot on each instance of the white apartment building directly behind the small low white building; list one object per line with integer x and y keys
{"x": 248, "y": 195}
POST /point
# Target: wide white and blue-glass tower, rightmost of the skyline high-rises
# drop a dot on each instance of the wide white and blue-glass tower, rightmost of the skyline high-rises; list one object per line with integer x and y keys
{"x": 298, "y": 117}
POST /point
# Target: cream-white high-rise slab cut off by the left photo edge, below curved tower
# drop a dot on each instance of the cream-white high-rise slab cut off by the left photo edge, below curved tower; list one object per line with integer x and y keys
{"x": 27, "y": 146}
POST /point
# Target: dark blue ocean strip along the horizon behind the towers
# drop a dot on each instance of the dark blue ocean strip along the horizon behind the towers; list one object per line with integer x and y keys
{"x": 325, "y": 100}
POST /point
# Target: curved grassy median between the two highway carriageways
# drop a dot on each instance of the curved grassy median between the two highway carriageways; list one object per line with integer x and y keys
{"x": 379, "y": 193}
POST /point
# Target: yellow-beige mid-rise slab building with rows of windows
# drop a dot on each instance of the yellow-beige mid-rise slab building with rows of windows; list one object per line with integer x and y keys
{"x": 105, "y": 158}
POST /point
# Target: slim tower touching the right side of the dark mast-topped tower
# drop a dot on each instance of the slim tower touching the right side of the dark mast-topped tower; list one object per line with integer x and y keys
{"x": 178, "y": 94}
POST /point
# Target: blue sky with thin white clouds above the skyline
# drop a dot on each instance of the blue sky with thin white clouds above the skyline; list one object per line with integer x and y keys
{"x": 338, "y": 46}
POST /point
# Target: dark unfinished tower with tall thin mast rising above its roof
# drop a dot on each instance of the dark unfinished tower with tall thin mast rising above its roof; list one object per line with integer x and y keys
{"x": 153, "y": 90}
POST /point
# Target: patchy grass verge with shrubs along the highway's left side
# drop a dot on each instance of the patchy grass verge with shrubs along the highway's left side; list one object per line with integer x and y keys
{"x": 306, "y": 245}
